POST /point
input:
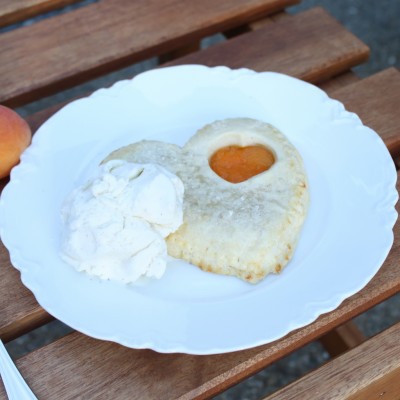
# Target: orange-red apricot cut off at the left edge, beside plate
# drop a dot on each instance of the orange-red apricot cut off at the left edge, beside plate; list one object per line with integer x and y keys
{"x": 15, "y": 137}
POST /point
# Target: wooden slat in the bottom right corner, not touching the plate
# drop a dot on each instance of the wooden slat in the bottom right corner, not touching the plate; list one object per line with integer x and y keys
{"x": 370, "y": 371}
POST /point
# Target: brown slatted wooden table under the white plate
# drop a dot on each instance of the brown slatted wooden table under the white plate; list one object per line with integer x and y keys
{"x": 71, "y": 47}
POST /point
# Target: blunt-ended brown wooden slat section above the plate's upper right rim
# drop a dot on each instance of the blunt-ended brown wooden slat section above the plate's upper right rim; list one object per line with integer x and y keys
{"x": 312, "y": 46}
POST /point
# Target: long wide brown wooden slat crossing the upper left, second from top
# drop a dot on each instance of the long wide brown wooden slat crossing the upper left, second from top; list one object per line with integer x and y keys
{"x": 73, "y": 47}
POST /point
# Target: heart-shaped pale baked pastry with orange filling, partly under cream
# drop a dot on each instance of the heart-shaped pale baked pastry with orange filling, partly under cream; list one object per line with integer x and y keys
{"x": 245, "y": 225}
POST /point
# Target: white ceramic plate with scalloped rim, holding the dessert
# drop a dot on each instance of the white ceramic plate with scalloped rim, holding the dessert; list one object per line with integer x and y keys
{"x": 346, "y": 237}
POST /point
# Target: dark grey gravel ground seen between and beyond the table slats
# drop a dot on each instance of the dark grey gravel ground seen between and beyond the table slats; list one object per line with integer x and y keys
{"x": 374, "y": 22}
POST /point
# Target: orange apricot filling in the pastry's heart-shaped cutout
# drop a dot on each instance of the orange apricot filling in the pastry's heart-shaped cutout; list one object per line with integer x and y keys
{"x": 237, "y": 164}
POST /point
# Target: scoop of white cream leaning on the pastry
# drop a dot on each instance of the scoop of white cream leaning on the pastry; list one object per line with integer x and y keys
{"x": 115, "y": 224}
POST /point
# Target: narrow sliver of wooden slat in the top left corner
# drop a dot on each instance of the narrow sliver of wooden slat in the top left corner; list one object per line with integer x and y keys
{"x": 13, "y": 11}
